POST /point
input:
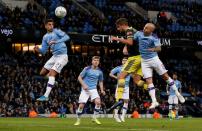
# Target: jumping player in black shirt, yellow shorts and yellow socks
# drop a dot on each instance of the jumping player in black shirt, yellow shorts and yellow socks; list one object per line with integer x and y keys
{"x": 132, "y": 65}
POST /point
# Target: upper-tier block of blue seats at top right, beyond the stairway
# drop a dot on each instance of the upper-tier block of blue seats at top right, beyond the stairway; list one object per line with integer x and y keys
{"x": 188, "y": 22}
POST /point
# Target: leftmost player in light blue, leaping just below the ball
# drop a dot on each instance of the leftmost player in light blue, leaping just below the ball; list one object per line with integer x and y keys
{"x": 55, "y": 39}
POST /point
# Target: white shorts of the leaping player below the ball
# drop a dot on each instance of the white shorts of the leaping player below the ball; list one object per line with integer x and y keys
{"x": 56, "y": 62}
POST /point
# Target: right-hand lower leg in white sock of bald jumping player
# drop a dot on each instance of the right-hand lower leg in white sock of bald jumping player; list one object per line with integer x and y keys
{"x": 171, "y": 83}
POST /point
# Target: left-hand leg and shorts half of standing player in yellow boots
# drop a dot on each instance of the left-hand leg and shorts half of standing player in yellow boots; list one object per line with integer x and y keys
{"x": 83, "y": 98}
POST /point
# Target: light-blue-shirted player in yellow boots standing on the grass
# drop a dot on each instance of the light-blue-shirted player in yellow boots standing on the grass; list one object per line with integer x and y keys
{"x": 88, "y": 79}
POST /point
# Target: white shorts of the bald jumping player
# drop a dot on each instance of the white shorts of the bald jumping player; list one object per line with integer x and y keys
{"x": 154, "y": 63}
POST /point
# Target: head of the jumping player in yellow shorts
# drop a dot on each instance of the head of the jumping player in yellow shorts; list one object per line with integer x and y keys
{"x": 121, "y": 24}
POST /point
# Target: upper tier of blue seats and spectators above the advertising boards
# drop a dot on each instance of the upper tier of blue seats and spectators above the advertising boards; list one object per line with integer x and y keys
{"x": 187, "y": 25}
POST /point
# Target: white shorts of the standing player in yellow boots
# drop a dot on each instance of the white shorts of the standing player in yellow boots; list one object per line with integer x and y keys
{"x": 84, "y": 96}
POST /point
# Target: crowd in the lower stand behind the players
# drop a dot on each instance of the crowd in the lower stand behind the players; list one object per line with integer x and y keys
{"x": 21, "y": 85}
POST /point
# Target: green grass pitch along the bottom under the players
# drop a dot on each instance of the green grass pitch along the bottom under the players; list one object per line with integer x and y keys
{"x": 108, "y": 124}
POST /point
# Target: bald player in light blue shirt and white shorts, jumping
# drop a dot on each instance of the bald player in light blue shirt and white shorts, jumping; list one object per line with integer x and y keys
{"x": 149, "y": 45}
